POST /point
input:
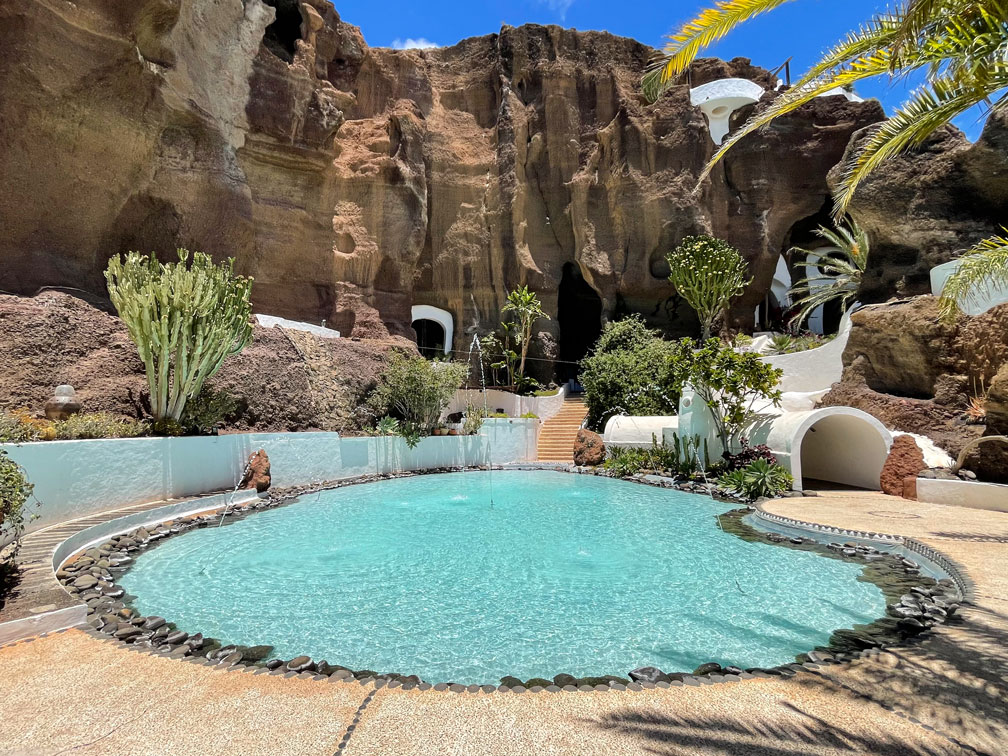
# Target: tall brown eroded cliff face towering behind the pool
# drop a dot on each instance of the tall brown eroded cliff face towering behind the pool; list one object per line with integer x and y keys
{"x": 354, "y": 183}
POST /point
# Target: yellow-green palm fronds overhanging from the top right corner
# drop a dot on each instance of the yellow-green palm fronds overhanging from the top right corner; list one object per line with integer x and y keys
{"x": 960, "y": 46}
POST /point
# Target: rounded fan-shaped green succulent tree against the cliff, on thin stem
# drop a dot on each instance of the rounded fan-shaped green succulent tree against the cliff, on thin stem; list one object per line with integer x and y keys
{"x": 707, "y": 273}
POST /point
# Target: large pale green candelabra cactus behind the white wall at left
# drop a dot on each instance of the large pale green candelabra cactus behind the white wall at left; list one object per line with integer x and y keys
{"x": 185, "y": 321}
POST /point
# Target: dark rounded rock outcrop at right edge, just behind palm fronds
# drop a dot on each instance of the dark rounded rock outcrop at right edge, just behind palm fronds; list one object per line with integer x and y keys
{"x": 928, "y": 207}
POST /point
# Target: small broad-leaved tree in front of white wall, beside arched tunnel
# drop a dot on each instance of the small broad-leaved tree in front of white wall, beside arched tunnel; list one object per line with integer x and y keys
{"x": 733, "y": 385}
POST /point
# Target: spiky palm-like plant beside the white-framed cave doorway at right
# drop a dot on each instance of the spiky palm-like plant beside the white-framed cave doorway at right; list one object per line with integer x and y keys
{"x": 832, "y": 277}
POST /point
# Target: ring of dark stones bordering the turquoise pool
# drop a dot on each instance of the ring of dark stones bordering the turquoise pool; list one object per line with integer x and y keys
{"x": 916, "y": 603}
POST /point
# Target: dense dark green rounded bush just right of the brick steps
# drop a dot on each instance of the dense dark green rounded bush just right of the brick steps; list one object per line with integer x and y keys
{"x": 633, "y": 370}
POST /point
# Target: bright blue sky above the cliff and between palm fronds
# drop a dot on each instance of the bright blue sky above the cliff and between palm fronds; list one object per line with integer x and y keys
{"x": 802, "y": 30}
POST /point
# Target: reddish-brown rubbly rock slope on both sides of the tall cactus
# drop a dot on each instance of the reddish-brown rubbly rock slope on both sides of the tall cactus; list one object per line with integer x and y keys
{"x": 283, "y": 382}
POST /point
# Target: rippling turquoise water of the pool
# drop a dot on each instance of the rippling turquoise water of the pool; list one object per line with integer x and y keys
{"x": 561, "y": 574}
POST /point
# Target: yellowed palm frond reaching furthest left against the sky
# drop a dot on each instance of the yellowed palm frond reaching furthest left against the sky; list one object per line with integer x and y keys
{"x": 710, "y": 27}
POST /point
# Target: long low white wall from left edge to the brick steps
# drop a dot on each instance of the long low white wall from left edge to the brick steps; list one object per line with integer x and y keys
{"x": 74, "y": 479}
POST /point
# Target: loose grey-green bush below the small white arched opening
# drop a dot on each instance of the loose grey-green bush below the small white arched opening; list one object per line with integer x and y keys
{"x": 417, "y": 391}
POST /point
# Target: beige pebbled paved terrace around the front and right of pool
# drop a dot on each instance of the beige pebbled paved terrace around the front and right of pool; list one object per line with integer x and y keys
{"x": 71, "y": 693}
